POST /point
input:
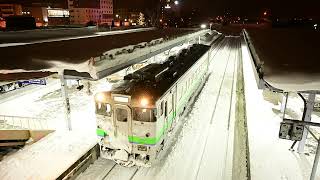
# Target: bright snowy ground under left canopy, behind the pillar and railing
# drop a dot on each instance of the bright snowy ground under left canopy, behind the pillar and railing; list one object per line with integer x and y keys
{"x": 47, "y": 103}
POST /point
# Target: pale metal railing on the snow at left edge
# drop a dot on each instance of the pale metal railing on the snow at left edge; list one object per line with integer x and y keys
{"x": 17, "y": 122}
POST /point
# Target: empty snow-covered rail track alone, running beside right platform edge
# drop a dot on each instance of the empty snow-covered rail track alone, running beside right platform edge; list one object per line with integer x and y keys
{"x": 217, "y": 138}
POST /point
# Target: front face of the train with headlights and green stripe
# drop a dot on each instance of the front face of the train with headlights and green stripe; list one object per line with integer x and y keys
{"x": 126, "y": 123}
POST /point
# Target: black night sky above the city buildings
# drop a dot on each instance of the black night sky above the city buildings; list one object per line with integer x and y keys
{"x": 284, "y": 8}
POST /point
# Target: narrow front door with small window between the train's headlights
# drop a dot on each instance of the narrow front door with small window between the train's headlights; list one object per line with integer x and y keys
{"x": 123, "y": 122}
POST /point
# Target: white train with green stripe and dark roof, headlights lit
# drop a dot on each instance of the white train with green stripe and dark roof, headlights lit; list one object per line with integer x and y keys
{"x": 136, "y": 116}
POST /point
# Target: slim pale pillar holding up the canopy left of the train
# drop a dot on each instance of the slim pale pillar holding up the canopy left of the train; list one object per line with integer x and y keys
{"x": 66, "y": 101}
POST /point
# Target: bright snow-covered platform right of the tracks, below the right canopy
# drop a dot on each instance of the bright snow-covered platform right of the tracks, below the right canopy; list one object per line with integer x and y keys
{"x": 269, "y": 155}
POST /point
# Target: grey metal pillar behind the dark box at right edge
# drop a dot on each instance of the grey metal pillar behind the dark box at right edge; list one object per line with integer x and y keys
{"x": 310, "y": 104}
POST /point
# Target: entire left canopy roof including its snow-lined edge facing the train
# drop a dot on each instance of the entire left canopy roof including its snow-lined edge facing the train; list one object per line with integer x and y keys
{"x": 93, "y": 57}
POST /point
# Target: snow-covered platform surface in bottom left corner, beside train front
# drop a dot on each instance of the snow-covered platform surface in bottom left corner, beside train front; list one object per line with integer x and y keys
{"x": 48, "y": 158}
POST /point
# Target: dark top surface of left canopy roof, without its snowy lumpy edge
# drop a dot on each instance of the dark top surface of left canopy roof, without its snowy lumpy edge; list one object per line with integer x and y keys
{"x": 73, "y": 54}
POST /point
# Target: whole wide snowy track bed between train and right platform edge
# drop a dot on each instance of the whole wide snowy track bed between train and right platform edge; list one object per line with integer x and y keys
{"x": 201, "y": 149}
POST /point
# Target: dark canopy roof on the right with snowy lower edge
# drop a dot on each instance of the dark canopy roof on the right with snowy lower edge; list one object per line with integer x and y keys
{"x": 290, "y": 57}
